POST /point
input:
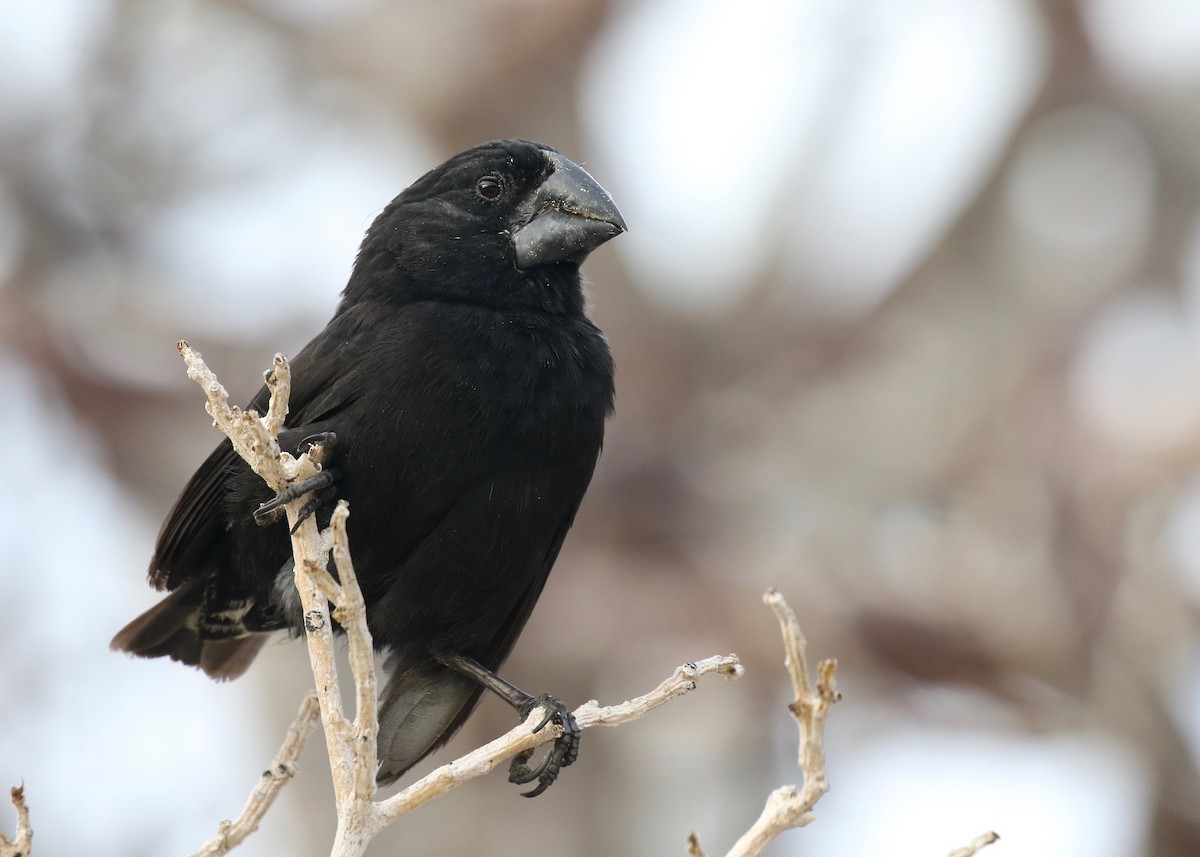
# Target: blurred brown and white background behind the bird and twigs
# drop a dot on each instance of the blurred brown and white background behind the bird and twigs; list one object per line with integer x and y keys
{"x": 908, "y": 325}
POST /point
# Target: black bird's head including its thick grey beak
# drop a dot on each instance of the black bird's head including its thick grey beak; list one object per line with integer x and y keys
{"x": 505, "y": 224}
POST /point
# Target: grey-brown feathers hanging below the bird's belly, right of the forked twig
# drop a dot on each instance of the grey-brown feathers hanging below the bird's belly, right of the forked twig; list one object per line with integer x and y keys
{"x": 419, "y": 712}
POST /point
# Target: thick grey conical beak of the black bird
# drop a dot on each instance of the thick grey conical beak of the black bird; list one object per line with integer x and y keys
{"x": 566, "y": 219}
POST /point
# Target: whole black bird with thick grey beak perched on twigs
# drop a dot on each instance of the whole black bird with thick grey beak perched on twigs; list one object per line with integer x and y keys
{"x": 464, "y": 392}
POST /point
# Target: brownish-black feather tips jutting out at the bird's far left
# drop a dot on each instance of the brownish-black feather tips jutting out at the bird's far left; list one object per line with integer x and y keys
{"x": 172, "y": 628}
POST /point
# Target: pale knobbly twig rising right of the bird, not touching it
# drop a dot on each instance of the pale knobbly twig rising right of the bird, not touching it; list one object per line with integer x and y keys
{"x": 789, "y": 807}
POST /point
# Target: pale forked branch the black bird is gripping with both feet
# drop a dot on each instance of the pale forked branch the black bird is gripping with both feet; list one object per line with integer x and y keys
{"x": 352, "y": 745}
